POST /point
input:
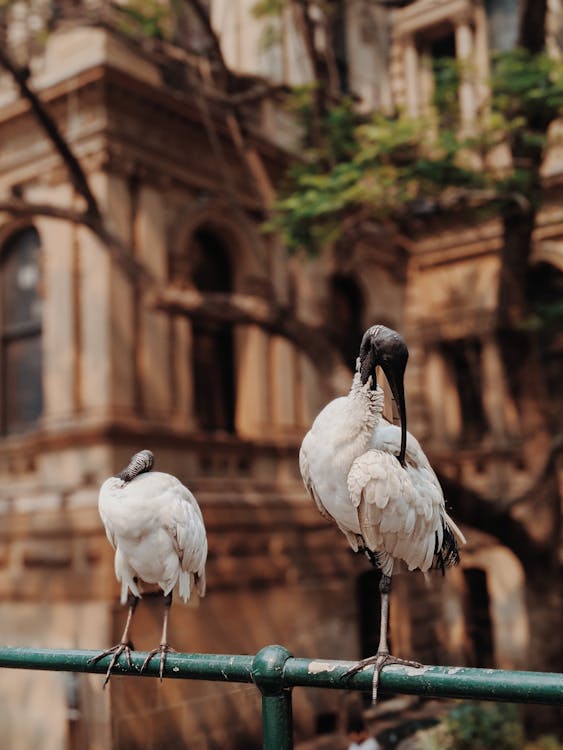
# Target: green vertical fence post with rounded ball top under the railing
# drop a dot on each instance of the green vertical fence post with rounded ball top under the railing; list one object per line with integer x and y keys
{"x": 267, "y": 673}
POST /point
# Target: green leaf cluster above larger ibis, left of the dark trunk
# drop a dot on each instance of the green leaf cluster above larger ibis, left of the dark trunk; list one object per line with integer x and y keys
{"x": 375, "y": 167}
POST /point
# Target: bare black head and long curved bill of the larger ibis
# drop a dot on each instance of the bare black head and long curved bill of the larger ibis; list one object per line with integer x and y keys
{"x": 384, "y": 347}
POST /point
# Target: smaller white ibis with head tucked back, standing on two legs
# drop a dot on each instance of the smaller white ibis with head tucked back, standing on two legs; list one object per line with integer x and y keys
{"x": 156, "y": 528}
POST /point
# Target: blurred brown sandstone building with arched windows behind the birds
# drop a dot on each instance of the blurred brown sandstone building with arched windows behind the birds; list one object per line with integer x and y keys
{"x": 91, "y": 370}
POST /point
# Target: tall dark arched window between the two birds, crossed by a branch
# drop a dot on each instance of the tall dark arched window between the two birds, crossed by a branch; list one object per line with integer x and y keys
{"x": 213, "y": 351}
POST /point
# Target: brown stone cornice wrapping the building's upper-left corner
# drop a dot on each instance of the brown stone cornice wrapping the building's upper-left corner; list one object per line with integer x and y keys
{"x": 129, "y": 127}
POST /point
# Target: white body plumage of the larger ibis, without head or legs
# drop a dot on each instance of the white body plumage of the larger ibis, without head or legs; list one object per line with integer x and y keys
{"x": 349, "y": 465}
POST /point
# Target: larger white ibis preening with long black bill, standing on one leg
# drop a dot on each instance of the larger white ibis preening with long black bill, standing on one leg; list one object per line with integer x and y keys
{"x": 374, "y": 482}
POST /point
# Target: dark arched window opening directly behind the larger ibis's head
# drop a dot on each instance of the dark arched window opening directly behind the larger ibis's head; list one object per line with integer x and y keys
{"x": 345, "y": 317}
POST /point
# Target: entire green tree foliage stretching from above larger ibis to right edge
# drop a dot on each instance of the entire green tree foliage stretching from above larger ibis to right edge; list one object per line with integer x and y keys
{"x": 385, "y": 168}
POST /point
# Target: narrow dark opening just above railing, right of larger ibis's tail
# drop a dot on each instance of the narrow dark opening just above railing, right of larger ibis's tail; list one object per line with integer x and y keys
{"x": 478, "y": 618}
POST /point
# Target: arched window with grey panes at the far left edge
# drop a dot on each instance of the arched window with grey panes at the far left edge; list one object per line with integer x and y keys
{"x": 20, "y": 328}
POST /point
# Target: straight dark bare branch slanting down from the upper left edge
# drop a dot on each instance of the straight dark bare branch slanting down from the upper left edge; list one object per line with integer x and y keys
{"x": 49, "y": 126}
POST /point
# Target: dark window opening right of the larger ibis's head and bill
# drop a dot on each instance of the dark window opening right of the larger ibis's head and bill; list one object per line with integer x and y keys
{"x": 464, "y": 357}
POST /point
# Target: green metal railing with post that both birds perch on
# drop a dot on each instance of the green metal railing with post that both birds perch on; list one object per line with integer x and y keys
{"x": 275, "y": 672}
